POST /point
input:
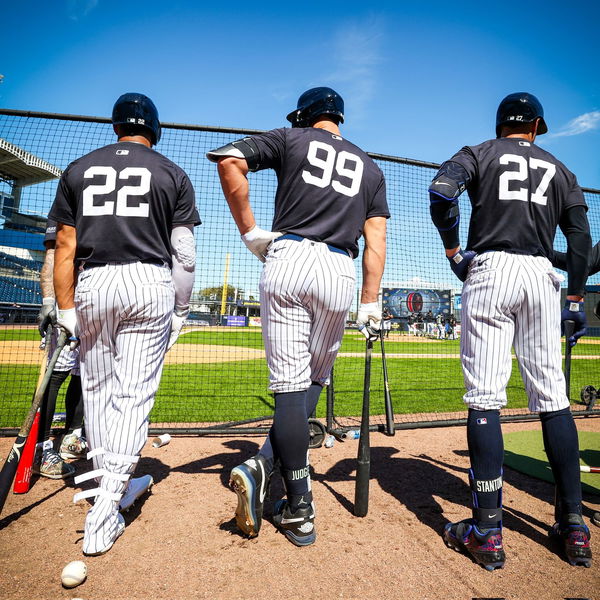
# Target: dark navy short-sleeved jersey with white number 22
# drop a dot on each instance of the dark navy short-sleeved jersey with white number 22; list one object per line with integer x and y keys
{"x": 123, "y": 200}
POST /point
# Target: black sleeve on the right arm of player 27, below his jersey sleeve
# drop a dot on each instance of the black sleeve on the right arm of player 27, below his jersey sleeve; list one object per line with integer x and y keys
{"x": 574, "y": 224}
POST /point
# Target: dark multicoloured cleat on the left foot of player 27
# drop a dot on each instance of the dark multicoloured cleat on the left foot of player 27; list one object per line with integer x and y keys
{"x": 484, "y": 546}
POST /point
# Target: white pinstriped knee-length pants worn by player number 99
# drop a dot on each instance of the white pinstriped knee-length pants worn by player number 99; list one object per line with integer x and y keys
{"x": 305, "y": 294}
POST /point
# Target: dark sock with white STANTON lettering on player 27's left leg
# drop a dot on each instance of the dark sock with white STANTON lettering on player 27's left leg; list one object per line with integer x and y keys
{"x": 486, "y": 451}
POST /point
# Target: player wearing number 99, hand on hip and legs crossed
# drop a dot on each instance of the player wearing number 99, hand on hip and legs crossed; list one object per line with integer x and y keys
{"x": 329, "y": 194}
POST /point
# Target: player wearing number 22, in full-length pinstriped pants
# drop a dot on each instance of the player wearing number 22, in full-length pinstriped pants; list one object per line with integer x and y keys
{"x": 125, "y": 217}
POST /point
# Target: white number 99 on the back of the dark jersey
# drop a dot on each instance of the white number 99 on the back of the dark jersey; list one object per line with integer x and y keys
{"x": 345, "y": 164}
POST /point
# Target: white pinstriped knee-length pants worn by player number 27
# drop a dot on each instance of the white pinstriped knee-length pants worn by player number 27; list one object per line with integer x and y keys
{"x": 512, "y": 300}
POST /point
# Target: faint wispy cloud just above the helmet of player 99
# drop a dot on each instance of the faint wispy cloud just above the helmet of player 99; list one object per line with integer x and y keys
{"x": 357, "y": 55}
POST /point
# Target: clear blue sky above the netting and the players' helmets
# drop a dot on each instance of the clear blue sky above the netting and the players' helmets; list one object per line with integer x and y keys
{"x": 419, "y": 79}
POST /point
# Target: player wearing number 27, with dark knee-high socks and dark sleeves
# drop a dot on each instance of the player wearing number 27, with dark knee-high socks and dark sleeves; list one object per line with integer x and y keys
{"x": 519, "y": 195}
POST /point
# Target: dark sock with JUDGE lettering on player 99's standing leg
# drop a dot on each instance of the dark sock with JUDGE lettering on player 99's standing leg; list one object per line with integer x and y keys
{"x": 289, "y": 437}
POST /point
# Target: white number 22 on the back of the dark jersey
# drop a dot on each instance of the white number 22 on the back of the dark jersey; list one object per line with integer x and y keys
{"x": 89, "y": 208}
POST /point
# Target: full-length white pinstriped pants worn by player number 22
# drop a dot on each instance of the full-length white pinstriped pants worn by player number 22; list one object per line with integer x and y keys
{"x": 124, "y": 313}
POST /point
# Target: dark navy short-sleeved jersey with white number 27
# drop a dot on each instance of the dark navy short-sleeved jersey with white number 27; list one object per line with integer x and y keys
{"x": 518, "y": 194}
